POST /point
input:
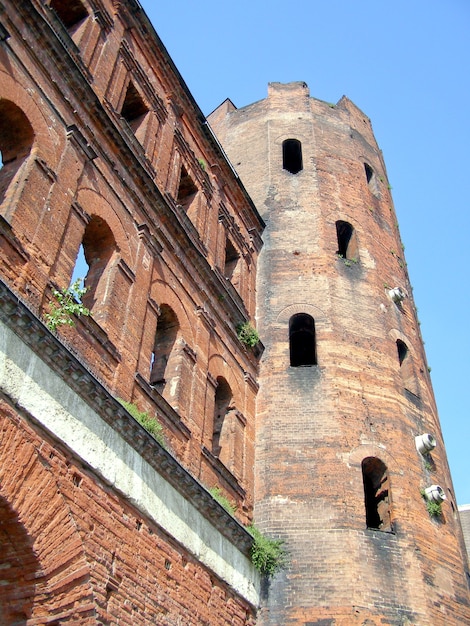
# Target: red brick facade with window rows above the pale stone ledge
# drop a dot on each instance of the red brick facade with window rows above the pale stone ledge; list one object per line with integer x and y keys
{"x": 89, "y": 172}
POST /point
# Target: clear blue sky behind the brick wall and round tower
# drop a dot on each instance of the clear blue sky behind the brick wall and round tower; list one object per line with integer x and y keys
{"x": 406, "y": 64}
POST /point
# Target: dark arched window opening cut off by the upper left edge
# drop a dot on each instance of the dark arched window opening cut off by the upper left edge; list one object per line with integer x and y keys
{"x": 16, "y": 141}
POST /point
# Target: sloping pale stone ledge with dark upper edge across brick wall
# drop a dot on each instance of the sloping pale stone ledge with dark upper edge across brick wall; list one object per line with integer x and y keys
{"x": 44, "y": 377}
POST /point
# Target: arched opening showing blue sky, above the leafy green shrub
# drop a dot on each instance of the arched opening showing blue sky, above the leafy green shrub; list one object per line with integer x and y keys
{"x": 99, "y": 250}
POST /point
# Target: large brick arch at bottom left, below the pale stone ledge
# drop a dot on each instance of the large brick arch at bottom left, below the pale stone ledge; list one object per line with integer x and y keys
{"x": 40, "y": 519}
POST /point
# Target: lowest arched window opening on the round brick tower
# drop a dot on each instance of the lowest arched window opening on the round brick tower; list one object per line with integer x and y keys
{"x": 376, "y": 494}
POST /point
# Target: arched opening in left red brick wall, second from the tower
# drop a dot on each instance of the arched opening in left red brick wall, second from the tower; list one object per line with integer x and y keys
{"x": 163, "y": 366}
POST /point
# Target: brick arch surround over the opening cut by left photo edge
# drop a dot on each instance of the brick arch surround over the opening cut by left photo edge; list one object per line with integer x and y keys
{"x": 45, "y": 146}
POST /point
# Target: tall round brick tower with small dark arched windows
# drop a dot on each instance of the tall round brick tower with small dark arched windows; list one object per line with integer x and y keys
{"x": 348, "y": 437}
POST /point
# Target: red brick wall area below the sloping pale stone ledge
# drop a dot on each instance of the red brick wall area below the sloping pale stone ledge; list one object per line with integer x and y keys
{"x": 74, "y": 552}
